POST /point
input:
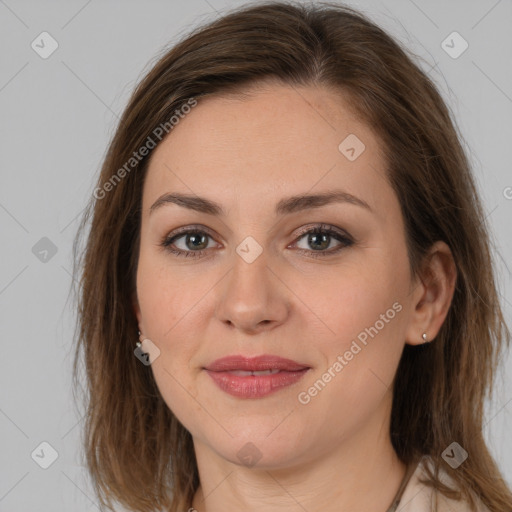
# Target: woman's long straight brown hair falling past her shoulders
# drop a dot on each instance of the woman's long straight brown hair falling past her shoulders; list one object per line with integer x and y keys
{"x": 136, "y": 450}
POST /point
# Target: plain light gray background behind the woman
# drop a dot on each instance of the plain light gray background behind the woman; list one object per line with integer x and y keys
{"x": 57, "y": 116}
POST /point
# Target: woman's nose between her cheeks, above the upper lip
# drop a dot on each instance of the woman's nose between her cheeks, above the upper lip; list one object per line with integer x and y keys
{"x": 252, "y": 297}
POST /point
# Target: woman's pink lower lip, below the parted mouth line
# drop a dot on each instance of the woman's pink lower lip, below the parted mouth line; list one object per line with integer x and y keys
{"x": 254, "y": 386}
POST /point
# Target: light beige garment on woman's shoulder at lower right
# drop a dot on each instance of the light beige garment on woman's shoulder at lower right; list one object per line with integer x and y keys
{"x": 418, "y": 497}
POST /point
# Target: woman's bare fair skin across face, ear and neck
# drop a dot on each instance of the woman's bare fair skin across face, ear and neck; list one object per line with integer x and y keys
{"x": 333, "y": 453}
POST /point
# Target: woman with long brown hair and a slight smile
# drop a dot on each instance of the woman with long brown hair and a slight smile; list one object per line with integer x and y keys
{"x": 329, "y": 338}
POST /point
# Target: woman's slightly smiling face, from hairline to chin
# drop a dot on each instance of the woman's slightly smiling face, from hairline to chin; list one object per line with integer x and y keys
{"x": 253, "y": 280}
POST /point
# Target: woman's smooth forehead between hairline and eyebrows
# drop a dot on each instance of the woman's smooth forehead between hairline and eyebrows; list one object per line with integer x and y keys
{"x": 276, "y": 137}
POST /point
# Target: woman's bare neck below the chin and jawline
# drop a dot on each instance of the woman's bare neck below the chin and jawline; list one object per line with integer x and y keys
{"x": 363, "y": 473}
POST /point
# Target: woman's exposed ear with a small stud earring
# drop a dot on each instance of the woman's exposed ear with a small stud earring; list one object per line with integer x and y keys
{"x": 432, "y": 295}
